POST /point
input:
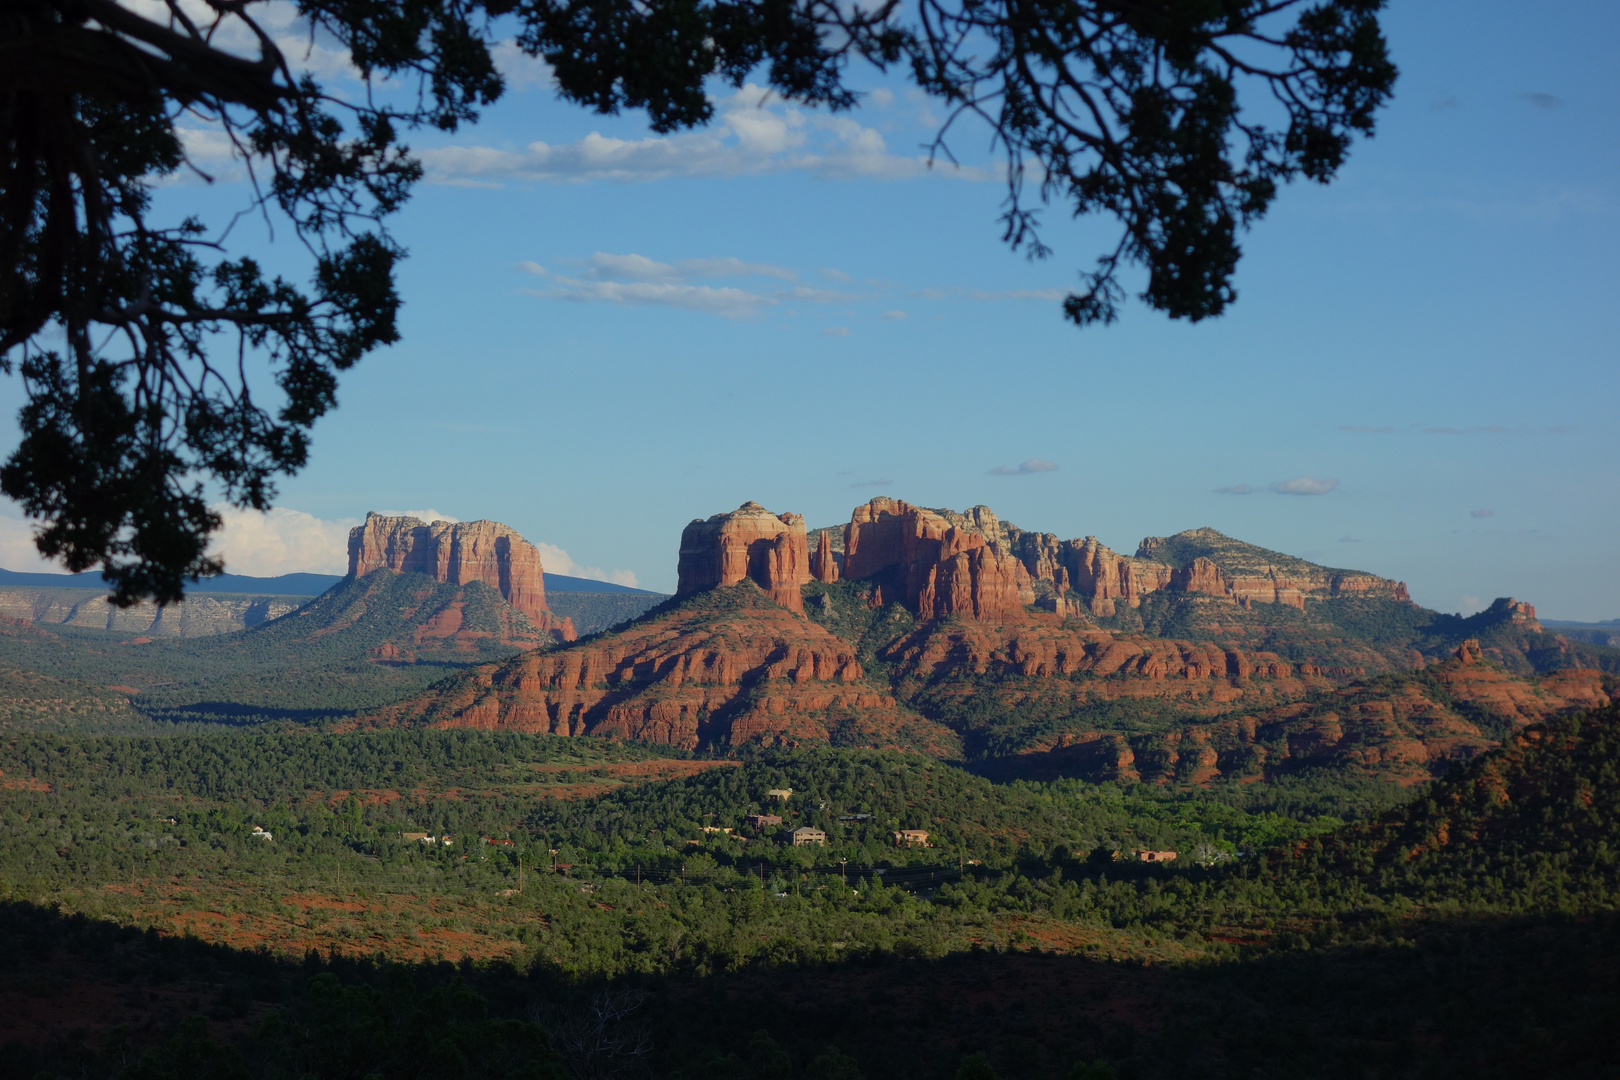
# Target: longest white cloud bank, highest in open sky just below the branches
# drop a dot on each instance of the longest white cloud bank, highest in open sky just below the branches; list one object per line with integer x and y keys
{"x": 754, "y": 134}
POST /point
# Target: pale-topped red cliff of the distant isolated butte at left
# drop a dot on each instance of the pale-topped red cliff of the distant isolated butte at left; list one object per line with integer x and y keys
{"x": 459, "y": 555}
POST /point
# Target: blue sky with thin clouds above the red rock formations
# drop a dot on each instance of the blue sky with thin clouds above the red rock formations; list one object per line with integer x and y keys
{"x": 608, "y": 334}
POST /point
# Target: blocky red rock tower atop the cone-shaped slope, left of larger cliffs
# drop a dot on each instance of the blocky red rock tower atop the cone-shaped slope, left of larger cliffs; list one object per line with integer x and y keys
{"x": 749, "y": 543}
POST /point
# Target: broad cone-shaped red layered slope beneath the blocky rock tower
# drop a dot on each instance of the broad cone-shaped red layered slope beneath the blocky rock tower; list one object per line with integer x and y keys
{"x": 749, "y": 674}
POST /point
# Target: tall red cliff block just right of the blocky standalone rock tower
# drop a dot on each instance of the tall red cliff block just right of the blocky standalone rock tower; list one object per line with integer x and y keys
{"x": 940, "y": 566}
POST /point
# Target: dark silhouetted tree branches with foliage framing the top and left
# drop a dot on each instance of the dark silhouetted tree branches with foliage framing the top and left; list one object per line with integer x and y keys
{"x": 135, "y": 338}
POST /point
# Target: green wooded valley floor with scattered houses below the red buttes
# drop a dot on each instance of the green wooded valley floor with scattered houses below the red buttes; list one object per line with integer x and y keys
{"x": 1452, "y": 911}
